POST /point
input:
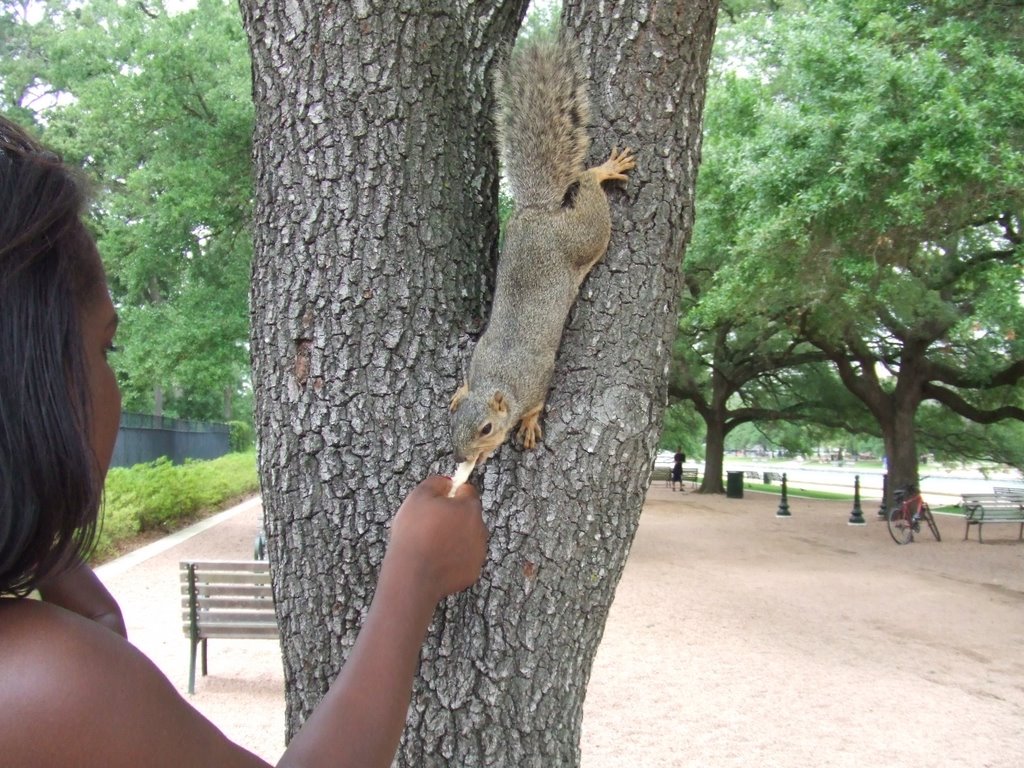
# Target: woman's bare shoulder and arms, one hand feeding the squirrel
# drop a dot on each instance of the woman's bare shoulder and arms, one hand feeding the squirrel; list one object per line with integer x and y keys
{"x": 72, "y": 694}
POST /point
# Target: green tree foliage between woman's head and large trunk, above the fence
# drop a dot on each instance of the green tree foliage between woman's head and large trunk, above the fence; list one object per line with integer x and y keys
{"x": 157, "y": 108}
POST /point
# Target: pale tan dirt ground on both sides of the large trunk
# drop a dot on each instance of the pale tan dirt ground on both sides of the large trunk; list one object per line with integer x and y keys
{"x": 737, "y": 638}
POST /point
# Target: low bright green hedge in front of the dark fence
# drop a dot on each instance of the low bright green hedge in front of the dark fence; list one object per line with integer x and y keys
{"x": 160, "y": 496}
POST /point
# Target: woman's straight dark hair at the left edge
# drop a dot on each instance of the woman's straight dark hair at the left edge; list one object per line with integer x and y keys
{"x": 51, "y": 485}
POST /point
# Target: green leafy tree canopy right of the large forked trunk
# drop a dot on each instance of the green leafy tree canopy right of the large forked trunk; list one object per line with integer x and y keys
{"x": 863, "y": 186}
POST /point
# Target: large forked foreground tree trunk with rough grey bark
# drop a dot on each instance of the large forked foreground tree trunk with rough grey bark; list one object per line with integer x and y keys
{"x": 374, "y": 255}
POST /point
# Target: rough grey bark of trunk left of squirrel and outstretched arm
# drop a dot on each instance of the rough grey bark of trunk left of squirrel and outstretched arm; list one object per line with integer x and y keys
{"x": 374, "y": 238}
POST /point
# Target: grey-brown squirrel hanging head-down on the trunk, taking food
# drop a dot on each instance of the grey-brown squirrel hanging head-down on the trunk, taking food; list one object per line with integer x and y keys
{"x": 561, "y": 229}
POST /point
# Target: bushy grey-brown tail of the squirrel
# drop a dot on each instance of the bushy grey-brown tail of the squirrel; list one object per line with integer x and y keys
{"x": 543, "y": 112}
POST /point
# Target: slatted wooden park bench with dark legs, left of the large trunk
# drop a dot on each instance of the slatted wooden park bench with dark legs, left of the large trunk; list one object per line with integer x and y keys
{"x": 226, "y": 599}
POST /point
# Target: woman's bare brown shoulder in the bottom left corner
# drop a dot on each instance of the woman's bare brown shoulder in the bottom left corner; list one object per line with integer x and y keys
{"x": 72, "y": 693}
